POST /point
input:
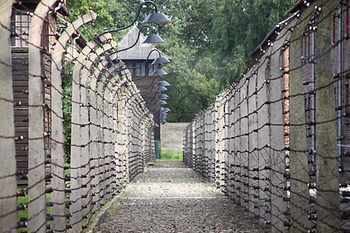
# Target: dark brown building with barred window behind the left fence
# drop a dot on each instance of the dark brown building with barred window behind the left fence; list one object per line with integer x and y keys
{"x": 22, "y": 12}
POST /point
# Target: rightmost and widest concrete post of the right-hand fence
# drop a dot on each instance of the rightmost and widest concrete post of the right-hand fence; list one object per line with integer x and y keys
{"x": 327, "y": 172}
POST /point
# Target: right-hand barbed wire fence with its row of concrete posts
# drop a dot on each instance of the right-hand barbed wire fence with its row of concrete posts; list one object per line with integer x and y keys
{"x": 277, "y": 141}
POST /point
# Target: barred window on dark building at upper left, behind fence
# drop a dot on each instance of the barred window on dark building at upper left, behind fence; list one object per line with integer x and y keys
{"x": 20, "y": 28}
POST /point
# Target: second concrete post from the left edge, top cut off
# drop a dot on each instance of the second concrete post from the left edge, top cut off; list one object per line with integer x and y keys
{"x": 36, "y": 151}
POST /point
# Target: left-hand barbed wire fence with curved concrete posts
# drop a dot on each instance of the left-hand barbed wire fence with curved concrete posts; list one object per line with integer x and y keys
{"x": 111, "y": 135}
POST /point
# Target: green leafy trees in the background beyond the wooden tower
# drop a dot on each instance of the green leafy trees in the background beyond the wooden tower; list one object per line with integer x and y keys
{"x": 208, "y": 41}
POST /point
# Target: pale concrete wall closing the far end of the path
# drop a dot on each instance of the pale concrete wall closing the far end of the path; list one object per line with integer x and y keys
{"x": 172, "y": 136}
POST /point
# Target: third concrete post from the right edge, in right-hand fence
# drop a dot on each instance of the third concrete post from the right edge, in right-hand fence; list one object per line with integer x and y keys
{"x": 279, "y": 205}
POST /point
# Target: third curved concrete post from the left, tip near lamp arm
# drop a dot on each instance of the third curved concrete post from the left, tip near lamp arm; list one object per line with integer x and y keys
{"x": 57, "y": 151}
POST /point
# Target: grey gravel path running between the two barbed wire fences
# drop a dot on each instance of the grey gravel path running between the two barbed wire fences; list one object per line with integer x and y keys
{"x": 169, "y": 197}
